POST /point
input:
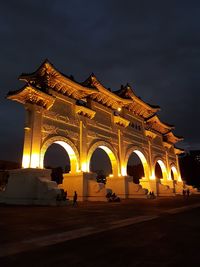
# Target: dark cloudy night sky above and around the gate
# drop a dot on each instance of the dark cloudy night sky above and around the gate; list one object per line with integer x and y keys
{"x": 153, "y": 45}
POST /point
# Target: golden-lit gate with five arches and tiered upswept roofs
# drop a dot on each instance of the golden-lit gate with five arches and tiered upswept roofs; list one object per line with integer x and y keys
{"x": 82, "y": 117}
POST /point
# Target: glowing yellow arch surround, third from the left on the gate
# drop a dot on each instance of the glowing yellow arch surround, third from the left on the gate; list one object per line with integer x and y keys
{"x": 142, "y": 156}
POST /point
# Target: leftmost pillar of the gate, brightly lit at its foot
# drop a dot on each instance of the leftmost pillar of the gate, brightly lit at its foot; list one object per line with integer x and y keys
{"x": 32, "y": 137}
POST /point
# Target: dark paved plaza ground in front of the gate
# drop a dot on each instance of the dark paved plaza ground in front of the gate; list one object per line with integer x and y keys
{"x": 138, "y": 232}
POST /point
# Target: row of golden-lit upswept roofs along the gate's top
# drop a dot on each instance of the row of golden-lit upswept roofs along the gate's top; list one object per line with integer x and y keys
{"x": 47, "y": 77}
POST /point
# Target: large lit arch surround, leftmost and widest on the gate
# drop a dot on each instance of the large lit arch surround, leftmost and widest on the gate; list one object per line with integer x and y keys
{"x": 69, "y": 148}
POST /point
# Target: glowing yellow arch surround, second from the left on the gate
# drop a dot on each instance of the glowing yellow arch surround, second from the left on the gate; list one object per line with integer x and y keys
{"x": 109, "y": 151}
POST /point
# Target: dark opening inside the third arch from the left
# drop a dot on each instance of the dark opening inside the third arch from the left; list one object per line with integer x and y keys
{"x": 135, "y": 168}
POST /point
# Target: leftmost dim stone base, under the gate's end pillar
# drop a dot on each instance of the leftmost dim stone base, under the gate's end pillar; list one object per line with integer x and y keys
{"x": 30, "y": 187}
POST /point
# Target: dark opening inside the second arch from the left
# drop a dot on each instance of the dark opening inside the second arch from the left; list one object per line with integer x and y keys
{"x": 101, "y": 165}
